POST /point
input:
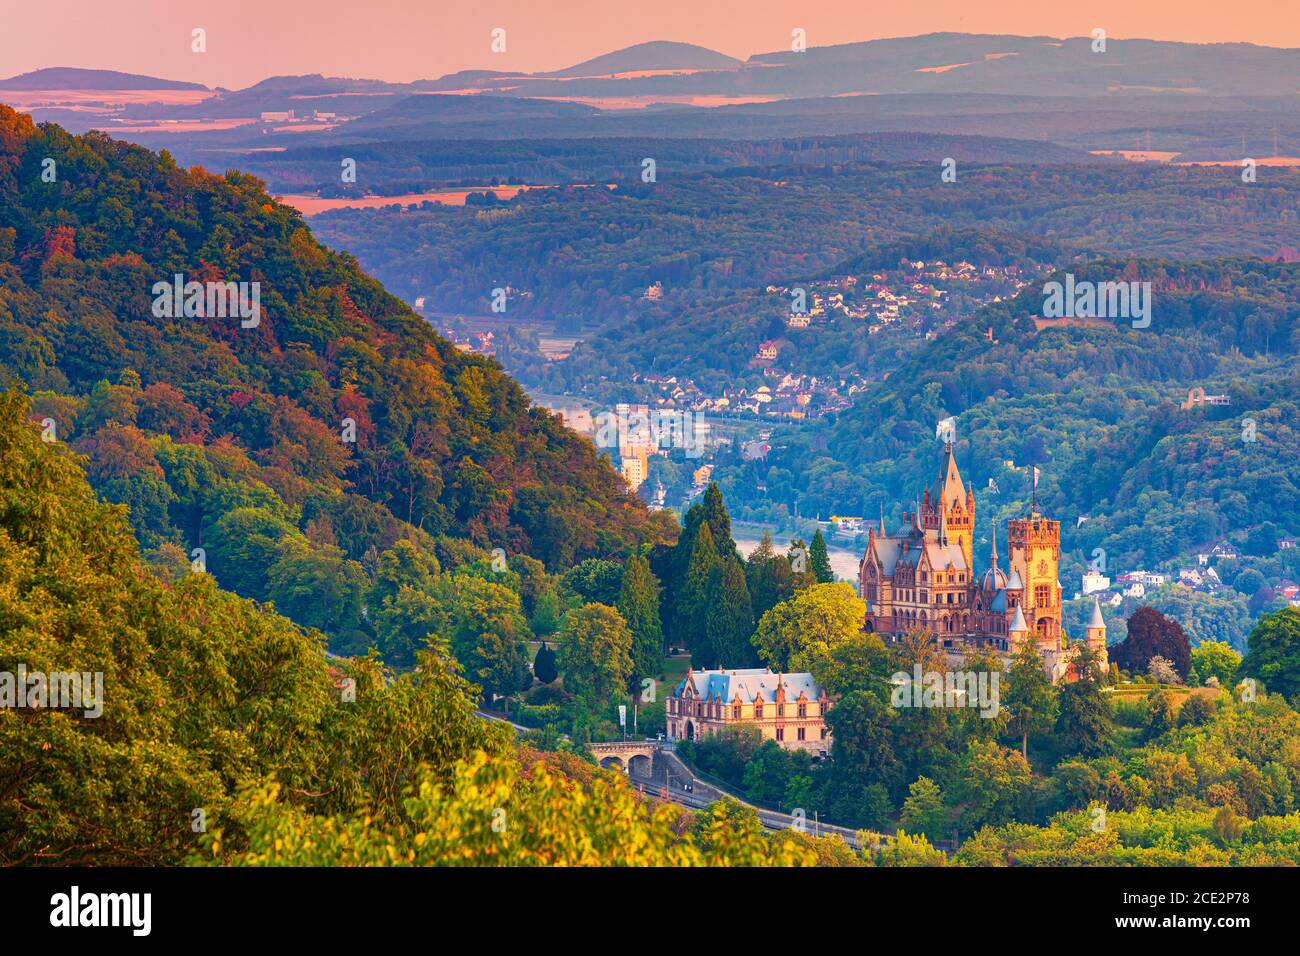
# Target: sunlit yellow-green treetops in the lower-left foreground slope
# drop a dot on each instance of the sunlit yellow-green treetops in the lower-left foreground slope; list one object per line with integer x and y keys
{"x": 227, "y": 738}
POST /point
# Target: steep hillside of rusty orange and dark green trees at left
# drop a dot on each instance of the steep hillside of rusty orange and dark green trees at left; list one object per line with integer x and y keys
{"x": 296, "y": 452}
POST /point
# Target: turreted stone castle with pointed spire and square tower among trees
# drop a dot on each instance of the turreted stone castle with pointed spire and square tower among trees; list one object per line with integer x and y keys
{"x": 925, "y": 579}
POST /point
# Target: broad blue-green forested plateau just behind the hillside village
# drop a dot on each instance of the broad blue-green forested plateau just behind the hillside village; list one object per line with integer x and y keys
{"x": 587, "y": 256}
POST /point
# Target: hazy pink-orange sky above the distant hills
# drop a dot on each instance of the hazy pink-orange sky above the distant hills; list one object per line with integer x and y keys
{"x": 411, "y": 40}
